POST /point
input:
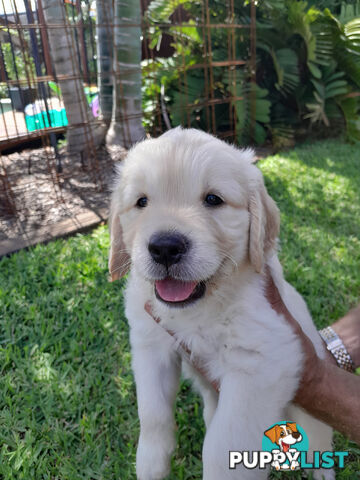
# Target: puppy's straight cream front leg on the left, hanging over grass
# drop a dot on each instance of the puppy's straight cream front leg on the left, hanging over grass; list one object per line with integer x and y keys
{"x": 157, "y": 372}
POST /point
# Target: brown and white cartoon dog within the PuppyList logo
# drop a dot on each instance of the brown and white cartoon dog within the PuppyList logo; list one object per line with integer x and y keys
{"x": 285, "y": 436}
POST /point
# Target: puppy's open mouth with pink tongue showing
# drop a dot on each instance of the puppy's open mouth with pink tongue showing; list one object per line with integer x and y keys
{"x": 177, "y": 293}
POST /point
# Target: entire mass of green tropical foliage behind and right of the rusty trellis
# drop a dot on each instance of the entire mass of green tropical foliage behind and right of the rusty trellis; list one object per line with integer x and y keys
{"x": 307, "y": 73}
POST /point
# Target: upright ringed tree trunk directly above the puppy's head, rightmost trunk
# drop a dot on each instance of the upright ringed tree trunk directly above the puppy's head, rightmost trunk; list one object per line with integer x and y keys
{"x": 126, "y": 122}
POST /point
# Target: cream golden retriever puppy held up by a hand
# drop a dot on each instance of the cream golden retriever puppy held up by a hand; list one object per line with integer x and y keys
{"x": 191, "y": 219}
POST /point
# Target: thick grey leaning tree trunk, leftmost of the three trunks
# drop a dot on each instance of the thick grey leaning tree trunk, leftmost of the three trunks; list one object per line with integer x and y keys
{"x": 83, "y": 132}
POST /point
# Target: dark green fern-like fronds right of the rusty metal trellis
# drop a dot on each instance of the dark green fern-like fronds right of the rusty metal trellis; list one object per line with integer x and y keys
{"x": 313, "y": 73}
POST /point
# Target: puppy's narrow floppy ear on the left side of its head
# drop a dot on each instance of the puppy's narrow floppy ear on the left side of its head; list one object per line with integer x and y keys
{"x": 119, "y": 259}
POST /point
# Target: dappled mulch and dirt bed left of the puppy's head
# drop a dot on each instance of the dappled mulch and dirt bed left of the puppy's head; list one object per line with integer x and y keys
{"x": 38, "y": 189}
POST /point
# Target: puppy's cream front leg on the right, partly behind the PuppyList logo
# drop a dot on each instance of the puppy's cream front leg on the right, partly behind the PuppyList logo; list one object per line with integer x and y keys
{"x": 245, "y": 409}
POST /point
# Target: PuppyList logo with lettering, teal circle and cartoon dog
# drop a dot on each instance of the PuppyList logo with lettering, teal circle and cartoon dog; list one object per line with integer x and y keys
{"x": 284, "y": 447}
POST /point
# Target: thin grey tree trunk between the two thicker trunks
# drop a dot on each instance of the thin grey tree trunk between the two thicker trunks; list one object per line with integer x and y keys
{"x": 104, "y": 46}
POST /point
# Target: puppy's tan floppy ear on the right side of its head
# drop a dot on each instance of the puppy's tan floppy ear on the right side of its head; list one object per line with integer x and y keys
{"x": 264, "y": 224}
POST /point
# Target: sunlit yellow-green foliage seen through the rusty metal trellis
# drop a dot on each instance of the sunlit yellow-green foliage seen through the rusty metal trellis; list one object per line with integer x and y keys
{"x": 187, "y": 88}
